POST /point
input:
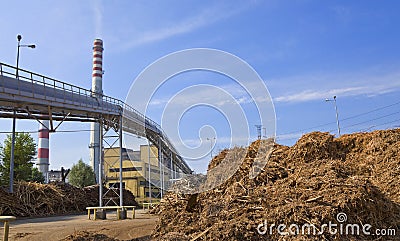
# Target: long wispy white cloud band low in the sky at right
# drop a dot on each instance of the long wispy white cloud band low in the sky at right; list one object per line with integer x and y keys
{"x": 302, "y": 89}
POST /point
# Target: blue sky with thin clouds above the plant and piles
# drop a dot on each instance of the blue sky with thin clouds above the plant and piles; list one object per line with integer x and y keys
{"x": 305, "y": 51}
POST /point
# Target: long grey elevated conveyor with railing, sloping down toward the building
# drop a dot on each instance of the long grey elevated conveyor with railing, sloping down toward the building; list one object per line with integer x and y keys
{"x": 34, "y": 96}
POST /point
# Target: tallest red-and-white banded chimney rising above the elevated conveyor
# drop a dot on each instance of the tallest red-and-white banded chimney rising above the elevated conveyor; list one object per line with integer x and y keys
{"x": 97, "y": 91}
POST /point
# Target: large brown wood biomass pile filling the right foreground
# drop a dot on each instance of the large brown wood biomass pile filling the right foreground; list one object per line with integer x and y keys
{"x": 354, "y": 179}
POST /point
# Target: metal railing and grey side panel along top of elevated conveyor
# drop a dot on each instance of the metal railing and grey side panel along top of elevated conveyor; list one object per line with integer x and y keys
{"x": 68, "y": 93}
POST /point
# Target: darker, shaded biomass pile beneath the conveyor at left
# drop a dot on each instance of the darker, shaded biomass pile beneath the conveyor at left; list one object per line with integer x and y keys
{"x": 32, "y": 199}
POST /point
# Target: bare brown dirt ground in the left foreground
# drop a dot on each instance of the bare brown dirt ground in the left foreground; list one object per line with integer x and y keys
{"x": 56, "y": 228}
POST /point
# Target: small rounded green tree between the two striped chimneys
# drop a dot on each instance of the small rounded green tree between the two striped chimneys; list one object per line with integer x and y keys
{"x": 81, "y": 175}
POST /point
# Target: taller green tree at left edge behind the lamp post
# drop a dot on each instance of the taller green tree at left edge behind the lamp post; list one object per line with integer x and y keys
{"x": 24, "y": 152}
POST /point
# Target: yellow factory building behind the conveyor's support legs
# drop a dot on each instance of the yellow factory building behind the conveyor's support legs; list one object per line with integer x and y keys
{"x": 135, "y": 171}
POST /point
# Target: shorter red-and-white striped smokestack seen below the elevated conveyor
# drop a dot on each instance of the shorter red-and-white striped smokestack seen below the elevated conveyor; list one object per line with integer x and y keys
{"x": 43, "y": 148}
